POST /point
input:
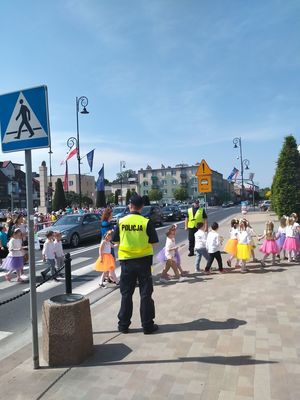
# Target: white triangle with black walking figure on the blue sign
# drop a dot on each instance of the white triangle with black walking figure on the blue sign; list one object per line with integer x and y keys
{"x": 23, "y": 123}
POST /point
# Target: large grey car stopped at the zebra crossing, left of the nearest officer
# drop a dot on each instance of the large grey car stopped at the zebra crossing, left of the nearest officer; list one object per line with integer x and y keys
{"x": 74, "y": 228}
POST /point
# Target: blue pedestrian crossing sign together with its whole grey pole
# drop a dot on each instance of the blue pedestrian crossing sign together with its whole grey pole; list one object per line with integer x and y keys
{"x": 24, "y": 125}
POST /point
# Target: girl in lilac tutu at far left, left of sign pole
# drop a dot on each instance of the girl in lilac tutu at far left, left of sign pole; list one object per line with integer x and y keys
{"x": 15, "y": 259}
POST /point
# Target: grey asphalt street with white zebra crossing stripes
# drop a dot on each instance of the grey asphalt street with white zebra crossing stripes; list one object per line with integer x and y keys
{"x": 15, "y": 326}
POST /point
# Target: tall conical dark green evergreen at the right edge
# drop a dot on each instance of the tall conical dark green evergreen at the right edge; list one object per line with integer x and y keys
{"x": 285, "y": 191}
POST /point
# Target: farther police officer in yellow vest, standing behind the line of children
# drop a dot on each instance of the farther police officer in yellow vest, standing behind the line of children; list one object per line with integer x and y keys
{"x": 194, "y": 216}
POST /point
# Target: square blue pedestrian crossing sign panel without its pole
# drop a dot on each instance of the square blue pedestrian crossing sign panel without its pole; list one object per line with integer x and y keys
{"x": 24, "y": 120}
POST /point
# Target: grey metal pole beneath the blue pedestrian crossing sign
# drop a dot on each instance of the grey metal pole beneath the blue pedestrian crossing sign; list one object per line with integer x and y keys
{"x": 33, "y": 302}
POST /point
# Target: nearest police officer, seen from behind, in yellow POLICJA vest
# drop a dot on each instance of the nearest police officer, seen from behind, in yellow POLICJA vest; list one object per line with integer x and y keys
{"x": 135, "y": 235}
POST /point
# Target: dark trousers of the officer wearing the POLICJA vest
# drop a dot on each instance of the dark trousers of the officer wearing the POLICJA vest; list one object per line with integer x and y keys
{"x": 133, "y": 270}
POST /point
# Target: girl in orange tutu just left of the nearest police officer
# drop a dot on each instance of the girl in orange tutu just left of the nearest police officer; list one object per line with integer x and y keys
{"x": 106, "y": 262}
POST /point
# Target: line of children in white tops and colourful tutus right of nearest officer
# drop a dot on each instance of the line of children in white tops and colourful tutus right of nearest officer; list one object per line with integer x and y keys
{"x": 280, "y": 245}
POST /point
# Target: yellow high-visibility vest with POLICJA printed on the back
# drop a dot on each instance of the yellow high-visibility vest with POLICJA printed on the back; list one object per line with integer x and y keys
{"x": 134, "y": 241}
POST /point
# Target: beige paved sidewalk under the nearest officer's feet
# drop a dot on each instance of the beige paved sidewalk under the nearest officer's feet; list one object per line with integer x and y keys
{"x": 222, "y": 337}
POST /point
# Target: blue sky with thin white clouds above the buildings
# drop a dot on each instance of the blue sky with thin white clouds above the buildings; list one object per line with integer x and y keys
{"x": 168, "y": 81}
